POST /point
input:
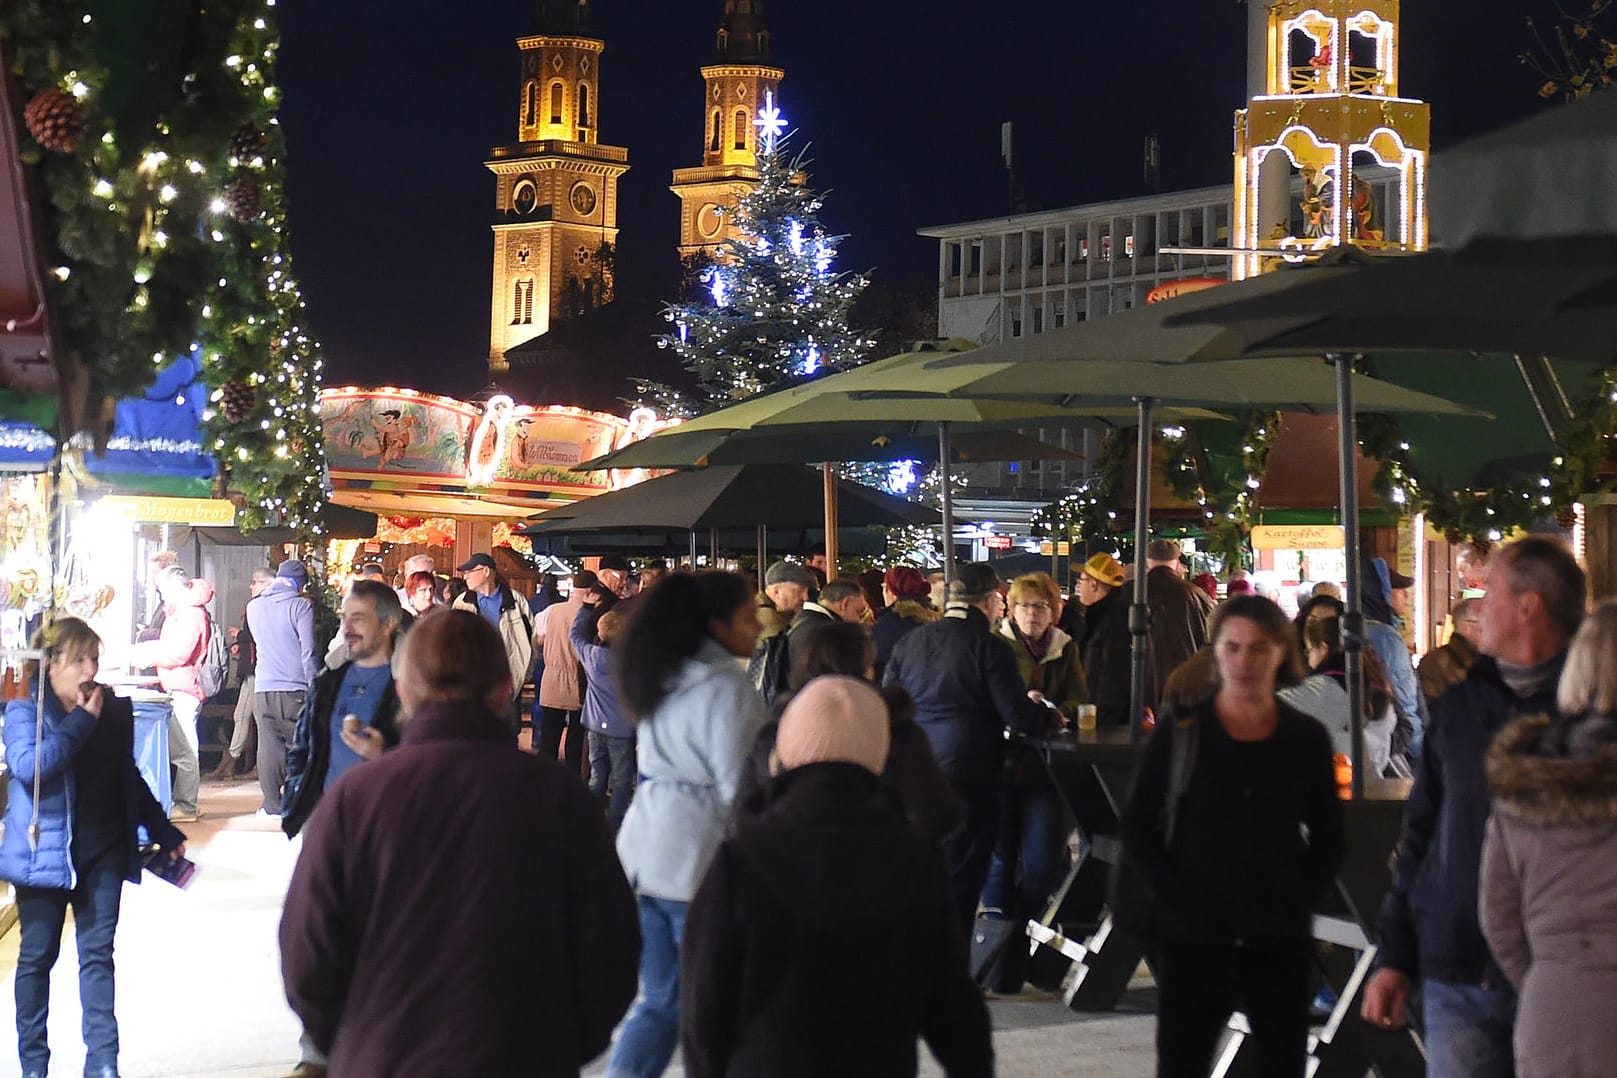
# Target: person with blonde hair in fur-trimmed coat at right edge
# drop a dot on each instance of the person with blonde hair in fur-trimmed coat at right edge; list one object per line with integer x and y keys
{"x": 1550, "y": 864}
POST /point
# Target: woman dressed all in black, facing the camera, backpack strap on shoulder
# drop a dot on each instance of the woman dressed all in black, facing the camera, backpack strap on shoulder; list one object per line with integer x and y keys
{"x": 1235, "y": 830}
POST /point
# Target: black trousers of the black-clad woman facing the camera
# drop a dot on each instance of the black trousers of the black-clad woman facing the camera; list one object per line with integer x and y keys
{"x": 1199, "y": 987}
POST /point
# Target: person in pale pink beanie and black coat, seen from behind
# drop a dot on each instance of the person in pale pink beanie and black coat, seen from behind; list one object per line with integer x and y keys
{"x": 819, "y": 890}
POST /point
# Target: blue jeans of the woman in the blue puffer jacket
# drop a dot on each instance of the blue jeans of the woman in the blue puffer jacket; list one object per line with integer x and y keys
{"x": 41, "y": 917}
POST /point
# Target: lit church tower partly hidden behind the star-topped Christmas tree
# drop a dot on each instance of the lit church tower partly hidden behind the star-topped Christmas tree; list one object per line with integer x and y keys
{"x": 737, "y": 85}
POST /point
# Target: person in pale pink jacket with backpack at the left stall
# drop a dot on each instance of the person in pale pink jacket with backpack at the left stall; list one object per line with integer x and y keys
{"x": 180, "y": 652}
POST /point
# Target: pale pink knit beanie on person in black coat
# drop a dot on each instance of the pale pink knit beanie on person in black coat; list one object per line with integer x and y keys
{"x": 834, "y": 720}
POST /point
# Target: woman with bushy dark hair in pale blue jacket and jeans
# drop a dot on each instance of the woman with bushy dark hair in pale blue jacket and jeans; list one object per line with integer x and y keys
{"x": 682, "y": 680}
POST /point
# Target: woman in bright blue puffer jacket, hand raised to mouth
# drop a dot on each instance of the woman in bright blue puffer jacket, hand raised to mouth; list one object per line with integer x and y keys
{"x": 91, "y": 804}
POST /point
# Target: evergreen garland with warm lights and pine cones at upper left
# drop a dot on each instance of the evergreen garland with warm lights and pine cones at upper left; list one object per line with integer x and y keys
{"x": 166, "y": 224}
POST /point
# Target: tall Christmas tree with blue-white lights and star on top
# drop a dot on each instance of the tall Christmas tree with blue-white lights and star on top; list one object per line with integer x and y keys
{"x": 772, "y": 306}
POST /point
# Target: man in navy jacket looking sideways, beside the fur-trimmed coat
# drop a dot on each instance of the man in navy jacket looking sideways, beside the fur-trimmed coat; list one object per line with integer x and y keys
{"x": 1429, "y": 927}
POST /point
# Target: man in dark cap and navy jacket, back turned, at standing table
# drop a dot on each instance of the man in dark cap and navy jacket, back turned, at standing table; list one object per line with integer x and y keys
{"x": 968, "y": 694}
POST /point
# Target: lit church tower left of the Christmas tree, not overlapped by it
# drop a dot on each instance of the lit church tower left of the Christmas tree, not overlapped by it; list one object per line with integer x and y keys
{"x": 555, "y": 188}
